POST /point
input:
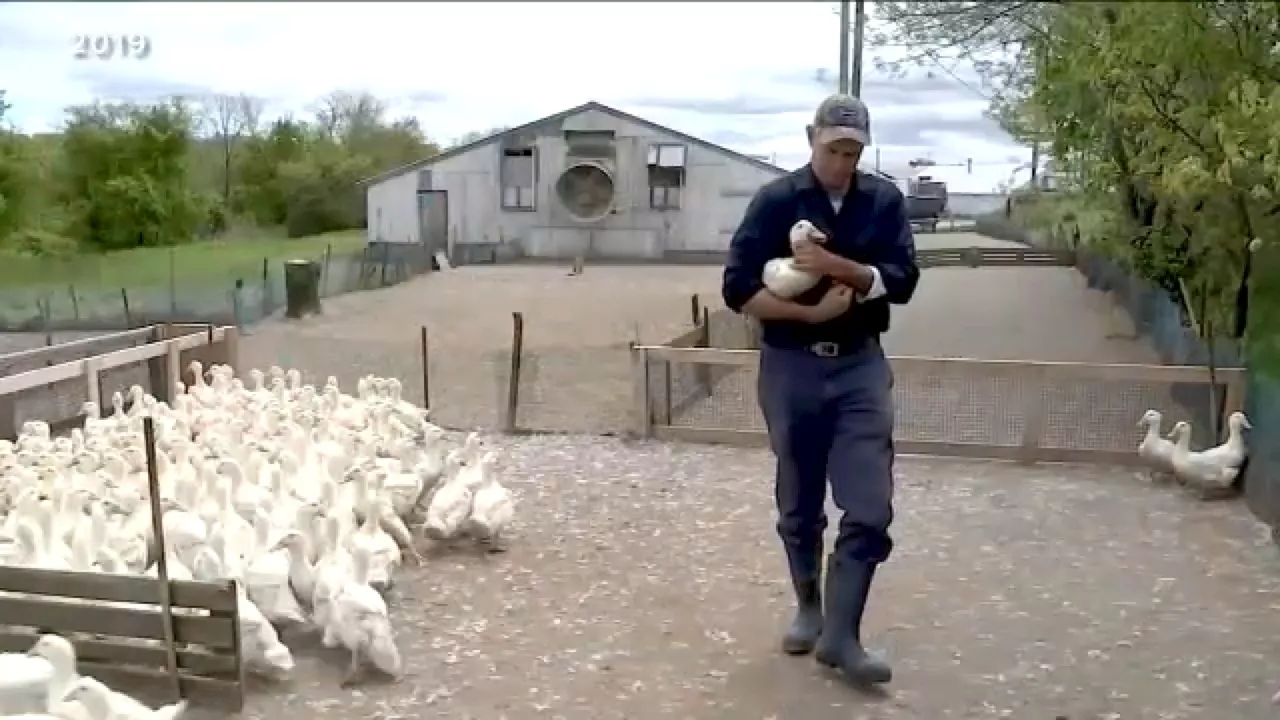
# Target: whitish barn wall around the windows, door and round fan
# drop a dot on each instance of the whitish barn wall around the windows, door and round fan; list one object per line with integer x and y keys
{"x": 717, "y": 189}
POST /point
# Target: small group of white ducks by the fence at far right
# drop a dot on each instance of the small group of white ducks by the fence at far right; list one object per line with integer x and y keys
{"x": 1214, "y": 470}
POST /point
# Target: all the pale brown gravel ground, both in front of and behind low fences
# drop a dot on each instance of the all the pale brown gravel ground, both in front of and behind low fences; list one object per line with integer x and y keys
{"x": 644, "y": 581}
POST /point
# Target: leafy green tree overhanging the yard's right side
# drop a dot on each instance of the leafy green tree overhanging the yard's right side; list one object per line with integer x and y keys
{"x": 1165, "y": 117}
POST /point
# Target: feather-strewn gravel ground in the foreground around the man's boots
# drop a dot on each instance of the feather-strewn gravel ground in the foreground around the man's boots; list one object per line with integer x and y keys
{"x": 646, "y": 582}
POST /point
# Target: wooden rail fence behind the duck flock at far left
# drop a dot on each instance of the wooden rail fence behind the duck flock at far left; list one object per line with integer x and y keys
{"x": 167, "y": 350}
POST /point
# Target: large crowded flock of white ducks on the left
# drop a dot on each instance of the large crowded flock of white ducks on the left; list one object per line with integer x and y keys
{"x": 305, "y": 498}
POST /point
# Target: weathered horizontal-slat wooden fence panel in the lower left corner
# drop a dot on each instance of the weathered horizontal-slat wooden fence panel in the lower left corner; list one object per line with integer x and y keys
{"x": 122, "y": 635}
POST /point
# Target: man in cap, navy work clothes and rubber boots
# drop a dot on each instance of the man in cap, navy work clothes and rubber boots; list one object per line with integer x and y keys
{"x": 825, "y": 385}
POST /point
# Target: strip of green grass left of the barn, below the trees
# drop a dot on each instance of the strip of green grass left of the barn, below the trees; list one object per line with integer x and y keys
{"x": 214, "y": 262}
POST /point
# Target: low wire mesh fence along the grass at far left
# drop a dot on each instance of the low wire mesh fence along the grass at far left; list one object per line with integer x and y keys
{"x": 240, "y": 295}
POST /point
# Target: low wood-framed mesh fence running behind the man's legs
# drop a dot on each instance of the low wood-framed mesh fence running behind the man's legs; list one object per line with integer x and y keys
{"x": 1032, "y": 394}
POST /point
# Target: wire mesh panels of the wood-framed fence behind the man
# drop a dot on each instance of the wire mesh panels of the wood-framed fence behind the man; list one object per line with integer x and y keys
{"x": 964, "y": 403}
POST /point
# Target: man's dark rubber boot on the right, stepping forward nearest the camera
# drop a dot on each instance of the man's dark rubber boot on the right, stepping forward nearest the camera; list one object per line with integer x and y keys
{"x": 840, "y": 646}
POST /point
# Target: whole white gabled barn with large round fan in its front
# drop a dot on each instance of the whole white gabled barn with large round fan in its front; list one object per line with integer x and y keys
{"x": 591, "y": 181}
